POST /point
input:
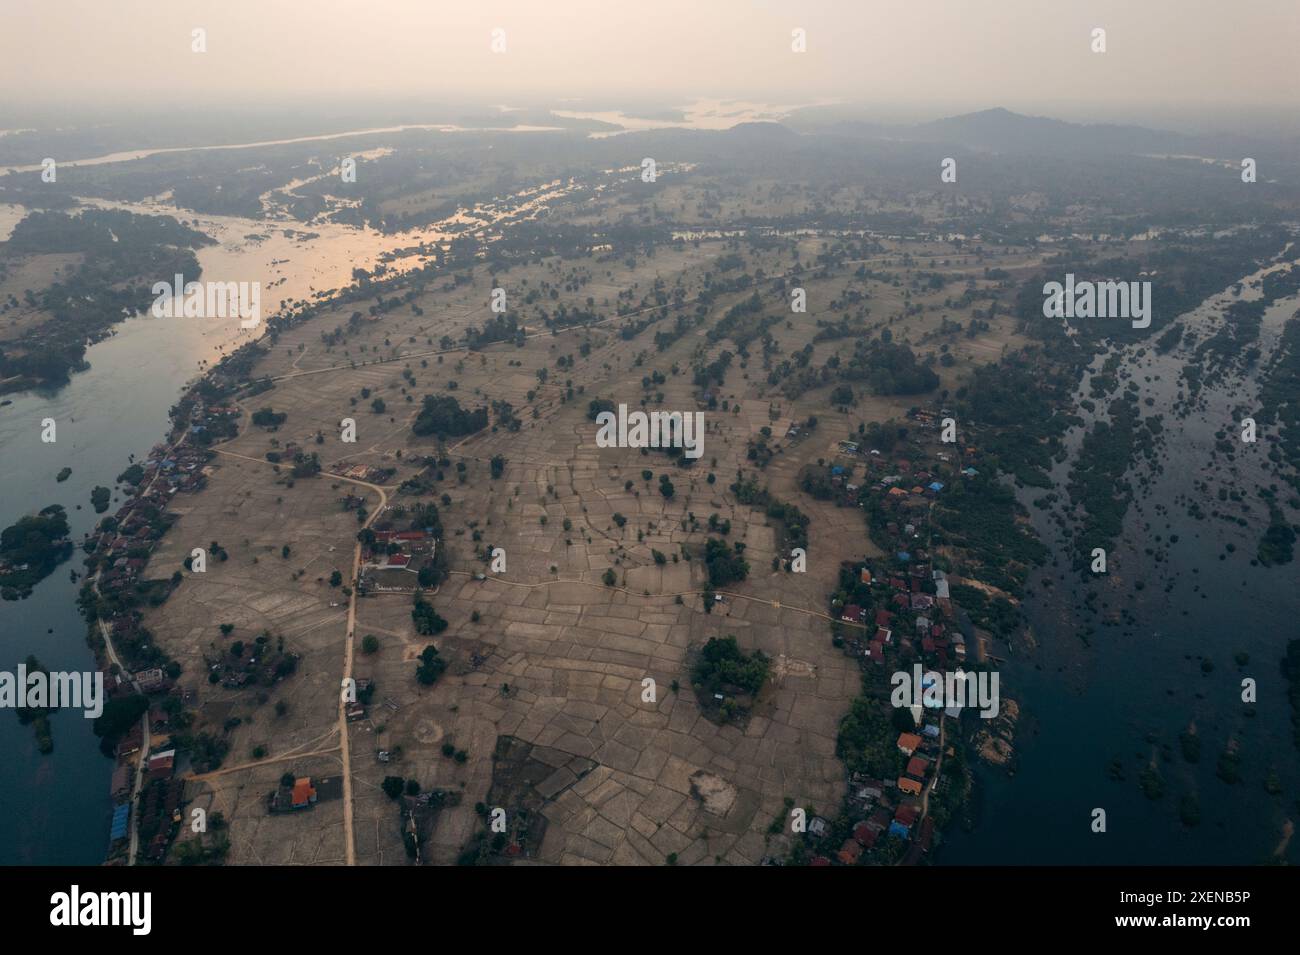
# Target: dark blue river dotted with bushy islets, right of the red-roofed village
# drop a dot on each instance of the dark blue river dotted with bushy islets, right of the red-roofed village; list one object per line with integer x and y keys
{"x": 1141, "y": 685}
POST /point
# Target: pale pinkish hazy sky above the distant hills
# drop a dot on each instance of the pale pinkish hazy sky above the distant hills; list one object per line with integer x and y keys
{"x": 895, "y": 57}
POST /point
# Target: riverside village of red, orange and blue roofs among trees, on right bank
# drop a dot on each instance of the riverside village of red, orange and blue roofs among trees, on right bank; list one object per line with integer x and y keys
{"x": 891, "y": 615}
